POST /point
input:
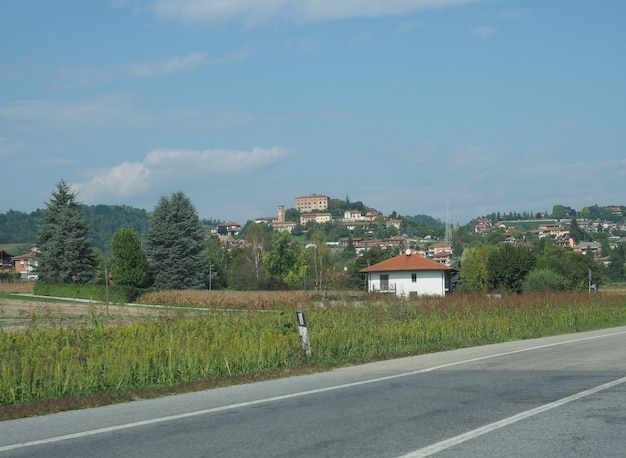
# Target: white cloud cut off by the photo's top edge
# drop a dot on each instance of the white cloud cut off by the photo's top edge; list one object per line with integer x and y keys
{"x": 253, "y": 12}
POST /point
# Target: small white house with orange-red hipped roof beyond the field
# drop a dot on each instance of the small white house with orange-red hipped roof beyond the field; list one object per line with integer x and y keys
{"x": 409, "y": 274}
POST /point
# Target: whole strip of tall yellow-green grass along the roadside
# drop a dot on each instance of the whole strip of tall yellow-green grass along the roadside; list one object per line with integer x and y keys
{"x": 41, "y": 364}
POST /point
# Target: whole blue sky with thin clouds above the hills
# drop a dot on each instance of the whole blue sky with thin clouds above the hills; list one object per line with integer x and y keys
{"x": 243, "y": 105}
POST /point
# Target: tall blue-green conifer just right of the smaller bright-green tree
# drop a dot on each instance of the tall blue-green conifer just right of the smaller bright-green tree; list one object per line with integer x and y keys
{"x": 175, "y": 244}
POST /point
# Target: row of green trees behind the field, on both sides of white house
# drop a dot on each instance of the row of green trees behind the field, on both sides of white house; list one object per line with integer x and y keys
{"x": 173, "y": 250}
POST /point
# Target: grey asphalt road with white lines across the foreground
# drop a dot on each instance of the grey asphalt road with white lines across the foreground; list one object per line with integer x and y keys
{"x": 563, "y": 396}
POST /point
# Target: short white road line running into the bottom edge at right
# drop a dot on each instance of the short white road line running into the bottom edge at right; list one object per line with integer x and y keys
{"x": 453, "y": 441}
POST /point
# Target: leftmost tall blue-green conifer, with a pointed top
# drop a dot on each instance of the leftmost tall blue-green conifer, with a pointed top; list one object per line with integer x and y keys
{"x": 65, "y": 252}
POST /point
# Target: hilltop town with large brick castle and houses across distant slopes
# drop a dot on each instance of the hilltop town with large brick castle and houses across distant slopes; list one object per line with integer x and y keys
{"x": 361, "y": 224}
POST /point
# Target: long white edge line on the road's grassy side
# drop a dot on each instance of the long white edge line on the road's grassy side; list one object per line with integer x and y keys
{"x": 240, "y": 405}
